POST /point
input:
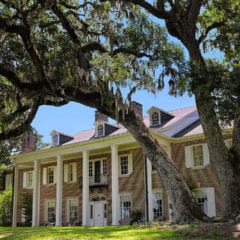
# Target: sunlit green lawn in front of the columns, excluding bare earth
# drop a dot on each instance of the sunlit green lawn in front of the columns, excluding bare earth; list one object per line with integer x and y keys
{"x": 67, "y": 233}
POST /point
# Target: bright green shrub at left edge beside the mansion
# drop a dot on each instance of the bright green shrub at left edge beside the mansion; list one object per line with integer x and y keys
{"x": 6, "y": 207}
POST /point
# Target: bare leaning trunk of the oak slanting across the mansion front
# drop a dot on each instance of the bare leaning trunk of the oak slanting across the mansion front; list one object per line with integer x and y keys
{"x": 184, "y": 207}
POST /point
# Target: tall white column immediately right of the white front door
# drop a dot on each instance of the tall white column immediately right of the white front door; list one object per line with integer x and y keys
{"x": 115, "y": 190}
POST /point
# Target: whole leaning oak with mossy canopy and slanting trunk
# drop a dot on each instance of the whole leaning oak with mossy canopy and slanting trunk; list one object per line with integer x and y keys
{"x": 53, "y": 52}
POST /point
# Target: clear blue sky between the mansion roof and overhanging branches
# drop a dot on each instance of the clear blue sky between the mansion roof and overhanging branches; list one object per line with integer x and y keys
{"x": 75, "y": 117}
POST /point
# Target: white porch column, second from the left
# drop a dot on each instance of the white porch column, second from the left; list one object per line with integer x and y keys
{"x": 36, "y": 195}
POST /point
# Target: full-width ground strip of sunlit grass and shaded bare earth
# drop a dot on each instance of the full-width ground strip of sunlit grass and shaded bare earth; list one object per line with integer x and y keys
{"x": 158, "y": 231}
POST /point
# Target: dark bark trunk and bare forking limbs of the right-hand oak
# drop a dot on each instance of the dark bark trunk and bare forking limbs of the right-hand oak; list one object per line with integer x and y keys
{"x": 181, "y": 23}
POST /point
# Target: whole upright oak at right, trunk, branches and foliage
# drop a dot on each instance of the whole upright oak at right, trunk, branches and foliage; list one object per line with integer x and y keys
{"x": 204, "y": 27}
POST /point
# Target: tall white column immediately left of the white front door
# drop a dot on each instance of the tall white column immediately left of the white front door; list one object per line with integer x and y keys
{"x": 85, "y": 189}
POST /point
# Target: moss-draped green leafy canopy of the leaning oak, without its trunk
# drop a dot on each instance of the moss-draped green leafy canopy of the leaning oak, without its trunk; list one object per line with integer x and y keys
{"x": 94, "y": 46}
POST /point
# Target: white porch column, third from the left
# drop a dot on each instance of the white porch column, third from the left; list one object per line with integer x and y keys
{"x": 59, "y": 191}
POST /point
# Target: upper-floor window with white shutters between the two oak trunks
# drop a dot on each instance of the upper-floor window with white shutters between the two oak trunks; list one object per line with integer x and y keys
{"x": 197, "y": 156}
